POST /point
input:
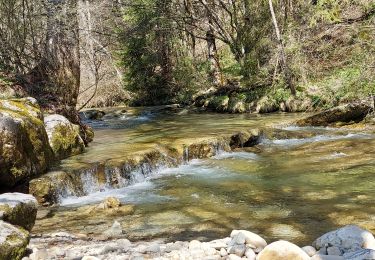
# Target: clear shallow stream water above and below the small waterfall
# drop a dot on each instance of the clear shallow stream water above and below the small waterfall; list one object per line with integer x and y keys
{"x": 295, "y": 186}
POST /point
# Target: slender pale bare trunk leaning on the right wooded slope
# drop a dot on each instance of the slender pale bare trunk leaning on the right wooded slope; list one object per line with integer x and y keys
{"x": 283, "y": 60}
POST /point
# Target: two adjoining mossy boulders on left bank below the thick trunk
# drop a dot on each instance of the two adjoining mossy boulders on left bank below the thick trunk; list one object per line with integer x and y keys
{"x": 31, "y": 142}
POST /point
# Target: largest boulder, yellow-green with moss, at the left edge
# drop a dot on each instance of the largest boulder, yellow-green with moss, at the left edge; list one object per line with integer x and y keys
{"x": 24, "y": 147}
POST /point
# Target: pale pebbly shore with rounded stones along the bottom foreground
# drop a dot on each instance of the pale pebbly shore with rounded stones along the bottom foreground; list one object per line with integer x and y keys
{"x": 349, "y": 242}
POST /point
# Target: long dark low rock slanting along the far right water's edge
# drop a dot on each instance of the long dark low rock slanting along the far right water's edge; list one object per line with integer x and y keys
{"x": 353, "y": 112}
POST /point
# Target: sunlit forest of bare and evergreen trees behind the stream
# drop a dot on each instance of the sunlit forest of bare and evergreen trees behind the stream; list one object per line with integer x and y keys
{"x": 150, "y": 52}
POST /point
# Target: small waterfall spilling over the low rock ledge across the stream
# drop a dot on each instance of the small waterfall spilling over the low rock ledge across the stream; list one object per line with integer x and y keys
{"x": 105, "y": 176}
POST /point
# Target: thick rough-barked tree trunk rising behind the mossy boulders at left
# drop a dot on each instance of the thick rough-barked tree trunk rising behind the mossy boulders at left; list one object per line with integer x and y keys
{"x": 58, "y": 74}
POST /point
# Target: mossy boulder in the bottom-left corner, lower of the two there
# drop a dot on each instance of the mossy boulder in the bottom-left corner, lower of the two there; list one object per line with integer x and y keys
{"x": 13, "y": 241}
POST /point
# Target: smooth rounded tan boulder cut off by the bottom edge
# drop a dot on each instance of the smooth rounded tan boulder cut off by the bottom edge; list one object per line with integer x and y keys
{"x": 282, "y": 250}
